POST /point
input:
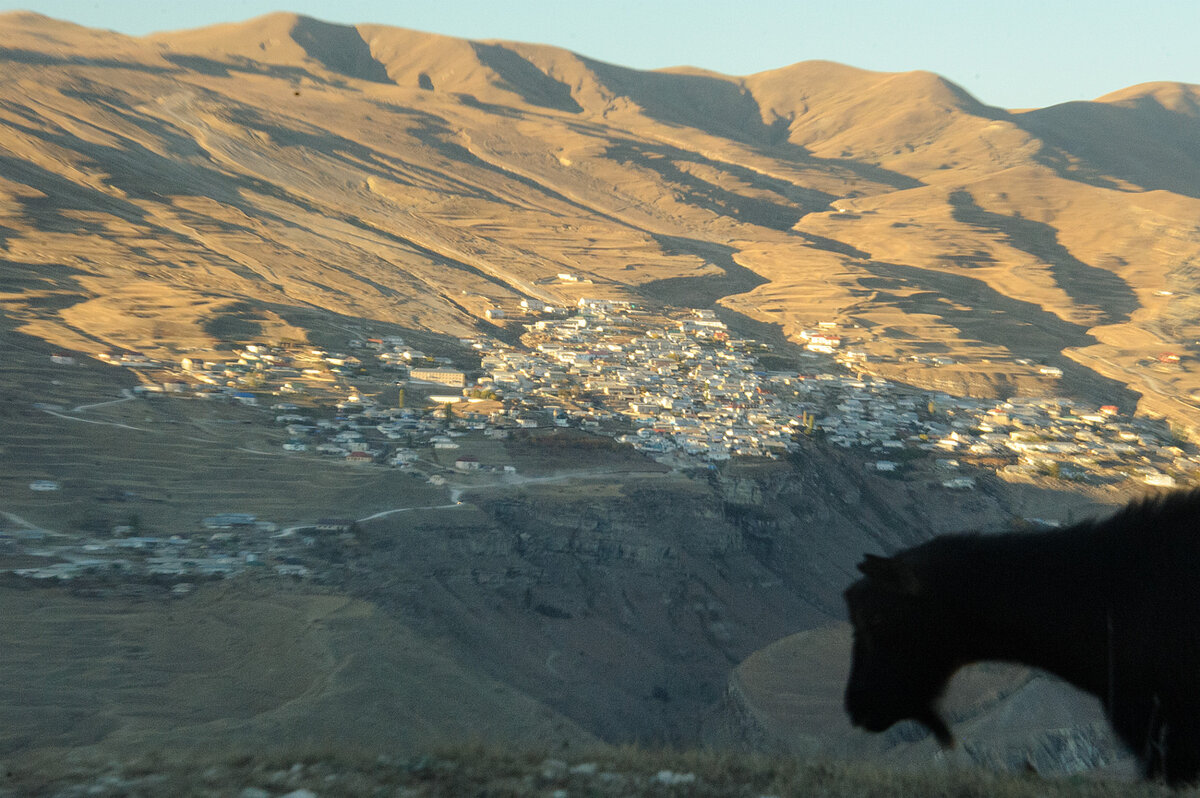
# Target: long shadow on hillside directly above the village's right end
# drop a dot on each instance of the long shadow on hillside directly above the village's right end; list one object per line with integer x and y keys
{"x": 1022, "y": 328}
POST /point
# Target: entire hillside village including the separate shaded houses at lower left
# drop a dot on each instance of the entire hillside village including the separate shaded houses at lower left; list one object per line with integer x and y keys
{"x": 676, "y": 386}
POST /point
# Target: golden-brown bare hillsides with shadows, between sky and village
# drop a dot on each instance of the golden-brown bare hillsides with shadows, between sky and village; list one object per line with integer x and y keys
{"x": 269, "y": 178}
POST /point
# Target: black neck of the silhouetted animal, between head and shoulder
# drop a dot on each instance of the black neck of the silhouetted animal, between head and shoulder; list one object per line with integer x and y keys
{"x": 1037, "y": 601}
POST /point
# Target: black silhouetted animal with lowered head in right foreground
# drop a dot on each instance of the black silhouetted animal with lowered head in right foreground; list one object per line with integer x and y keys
{"x": 1112, "y": 607}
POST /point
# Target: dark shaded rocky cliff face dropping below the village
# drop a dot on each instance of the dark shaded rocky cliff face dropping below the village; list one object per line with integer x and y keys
{"x": 625, "y": 605}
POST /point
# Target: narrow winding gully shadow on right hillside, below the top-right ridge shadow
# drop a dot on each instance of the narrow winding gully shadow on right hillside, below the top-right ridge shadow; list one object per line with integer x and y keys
{"x": 1107, "y": 295}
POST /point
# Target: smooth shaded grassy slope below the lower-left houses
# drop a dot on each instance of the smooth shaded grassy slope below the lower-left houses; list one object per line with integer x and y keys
{"x": 242, "y": 667}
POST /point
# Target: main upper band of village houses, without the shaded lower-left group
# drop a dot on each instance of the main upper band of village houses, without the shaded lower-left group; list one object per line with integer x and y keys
{"x": 682, "y": 387}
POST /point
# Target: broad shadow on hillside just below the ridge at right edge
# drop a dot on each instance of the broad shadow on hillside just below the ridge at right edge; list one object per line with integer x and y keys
{"x": 1095, "y": 142}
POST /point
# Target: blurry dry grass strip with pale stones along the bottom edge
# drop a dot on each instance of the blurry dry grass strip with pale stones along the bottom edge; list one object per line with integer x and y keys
{"x": 475, "y": 770}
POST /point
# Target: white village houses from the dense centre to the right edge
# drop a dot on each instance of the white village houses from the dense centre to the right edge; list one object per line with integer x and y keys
{"x": 693, "y": 391}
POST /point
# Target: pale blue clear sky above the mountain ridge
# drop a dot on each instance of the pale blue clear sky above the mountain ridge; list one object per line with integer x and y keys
{"x": 1009, "y": 53}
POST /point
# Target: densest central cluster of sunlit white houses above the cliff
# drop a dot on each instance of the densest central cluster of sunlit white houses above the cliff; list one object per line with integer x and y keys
{"x": 688, "y": 389}
